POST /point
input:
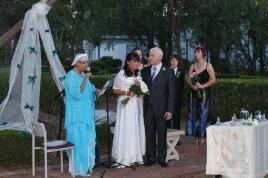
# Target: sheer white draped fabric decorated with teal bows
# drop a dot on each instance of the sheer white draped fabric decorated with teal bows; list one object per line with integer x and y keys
{"x": 21, "y": 105}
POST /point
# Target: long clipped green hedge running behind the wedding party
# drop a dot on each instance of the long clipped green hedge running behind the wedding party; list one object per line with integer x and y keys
{"x": 228, "y": 95}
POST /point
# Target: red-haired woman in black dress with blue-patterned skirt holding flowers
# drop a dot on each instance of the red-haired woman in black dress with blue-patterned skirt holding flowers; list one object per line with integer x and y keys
{"x": 201, "y": 77}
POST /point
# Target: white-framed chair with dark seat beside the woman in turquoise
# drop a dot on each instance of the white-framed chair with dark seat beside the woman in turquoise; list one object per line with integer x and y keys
{"x": 39, "y": 130}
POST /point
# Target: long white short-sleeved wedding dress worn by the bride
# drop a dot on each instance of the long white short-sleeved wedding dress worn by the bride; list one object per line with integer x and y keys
{"x": 129, "y": 134}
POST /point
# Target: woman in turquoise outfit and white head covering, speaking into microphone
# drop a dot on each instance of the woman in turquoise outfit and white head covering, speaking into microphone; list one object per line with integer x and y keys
{"x": 80, "y": 116}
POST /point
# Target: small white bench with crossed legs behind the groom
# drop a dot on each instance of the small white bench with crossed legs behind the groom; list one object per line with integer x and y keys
{"x": 173, "y": 136}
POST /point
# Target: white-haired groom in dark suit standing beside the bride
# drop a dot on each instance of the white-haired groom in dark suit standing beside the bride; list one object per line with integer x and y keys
{"x": 158, "y": 106}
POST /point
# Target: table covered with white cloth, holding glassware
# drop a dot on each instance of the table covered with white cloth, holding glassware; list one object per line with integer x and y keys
{"x": 238, "y": 151}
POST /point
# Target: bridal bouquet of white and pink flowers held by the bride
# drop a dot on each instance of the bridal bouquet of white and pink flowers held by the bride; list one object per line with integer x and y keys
{"x": 139, "y": 88}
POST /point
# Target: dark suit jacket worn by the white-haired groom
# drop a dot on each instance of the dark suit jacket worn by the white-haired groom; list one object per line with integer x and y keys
{"x": 161, "y": 96}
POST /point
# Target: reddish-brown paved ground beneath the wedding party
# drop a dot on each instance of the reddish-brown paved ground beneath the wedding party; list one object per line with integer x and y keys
{"x": 191, "y": 165}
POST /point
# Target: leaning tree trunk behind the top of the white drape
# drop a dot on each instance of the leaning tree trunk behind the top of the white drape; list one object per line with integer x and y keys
{"x": 17, "y": 27}
